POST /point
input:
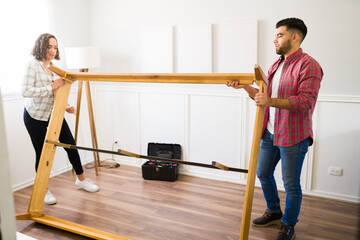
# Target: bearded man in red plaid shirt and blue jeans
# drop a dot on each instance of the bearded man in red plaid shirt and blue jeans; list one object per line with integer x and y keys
{"x": 294, "y": 83}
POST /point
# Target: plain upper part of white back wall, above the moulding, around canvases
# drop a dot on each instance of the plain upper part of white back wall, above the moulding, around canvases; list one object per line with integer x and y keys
{"x": 115, "y": 26}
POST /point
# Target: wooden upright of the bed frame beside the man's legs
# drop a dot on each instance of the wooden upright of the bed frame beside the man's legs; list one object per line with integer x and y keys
{"x": 250, "y": 184}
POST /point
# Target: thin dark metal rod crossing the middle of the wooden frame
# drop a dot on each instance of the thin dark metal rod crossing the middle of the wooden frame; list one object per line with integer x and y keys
{"x": 214, "y": 165}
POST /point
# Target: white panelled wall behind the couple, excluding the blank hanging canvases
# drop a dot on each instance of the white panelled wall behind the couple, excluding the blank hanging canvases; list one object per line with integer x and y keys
{"x": 212, "y": 122}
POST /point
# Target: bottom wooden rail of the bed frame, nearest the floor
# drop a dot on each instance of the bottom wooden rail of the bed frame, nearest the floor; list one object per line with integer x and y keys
{"x": 77, "y": 228}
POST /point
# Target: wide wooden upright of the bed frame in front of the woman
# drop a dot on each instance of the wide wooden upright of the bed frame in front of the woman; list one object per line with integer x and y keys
{"x": 48, "y": 152}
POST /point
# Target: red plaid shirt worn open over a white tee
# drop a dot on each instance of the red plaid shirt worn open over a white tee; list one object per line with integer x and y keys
{"x": 300, "y": 83}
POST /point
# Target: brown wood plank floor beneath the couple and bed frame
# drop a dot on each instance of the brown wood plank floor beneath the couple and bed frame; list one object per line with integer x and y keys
{"x": 190, "y": 208}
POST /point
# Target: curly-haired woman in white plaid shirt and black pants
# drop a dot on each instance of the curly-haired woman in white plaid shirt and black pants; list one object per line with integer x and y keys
{"x": 38, "y": 89}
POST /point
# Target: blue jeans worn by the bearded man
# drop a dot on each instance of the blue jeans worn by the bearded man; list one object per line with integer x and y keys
{"x": 292, "y": 159}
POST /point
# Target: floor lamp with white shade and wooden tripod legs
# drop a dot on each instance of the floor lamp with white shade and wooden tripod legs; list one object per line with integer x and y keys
{"x": 83, "y": 58}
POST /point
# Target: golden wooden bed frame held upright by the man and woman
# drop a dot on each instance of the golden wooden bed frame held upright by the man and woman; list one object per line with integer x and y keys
{"x": 35, "y": 212}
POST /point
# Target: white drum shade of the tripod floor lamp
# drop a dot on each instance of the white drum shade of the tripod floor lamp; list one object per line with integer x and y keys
{"x": 82, "y": 57}
